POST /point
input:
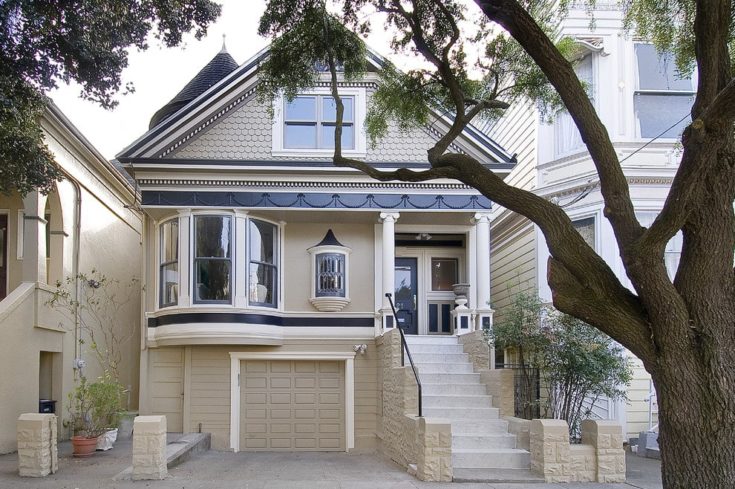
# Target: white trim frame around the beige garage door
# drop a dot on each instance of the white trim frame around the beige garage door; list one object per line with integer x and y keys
{"x": 236, "y": 359}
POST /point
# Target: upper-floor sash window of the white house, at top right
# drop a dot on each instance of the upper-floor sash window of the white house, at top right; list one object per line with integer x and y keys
{"x": 663, "y": 95}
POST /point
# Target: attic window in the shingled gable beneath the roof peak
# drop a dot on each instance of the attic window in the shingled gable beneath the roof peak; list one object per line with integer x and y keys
{"x": 310, "y": 121}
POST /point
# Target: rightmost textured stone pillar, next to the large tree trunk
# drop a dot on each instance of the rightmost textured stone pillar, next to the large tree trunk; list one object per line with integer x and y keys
{"x": 607, "y": 439}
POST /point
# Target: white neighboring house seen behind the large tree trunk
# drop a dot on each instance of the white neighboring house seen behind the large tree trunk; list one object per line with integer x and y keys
{"x": 638, "y": 98}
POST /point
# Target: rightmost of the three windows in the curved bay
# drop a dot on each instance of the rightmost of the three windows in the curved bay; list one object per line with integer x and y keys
{"x": 263, "y": 270}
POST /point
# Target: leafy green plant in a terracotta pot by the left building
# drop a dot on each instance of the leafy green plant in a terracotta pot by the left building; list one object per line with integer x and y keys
{"x": 94, "y": 409}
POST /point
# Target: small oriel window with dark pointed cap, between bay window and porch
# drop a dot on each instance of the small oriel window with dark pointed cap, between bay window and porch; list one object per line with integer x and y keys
{"x": 330, "y": 265}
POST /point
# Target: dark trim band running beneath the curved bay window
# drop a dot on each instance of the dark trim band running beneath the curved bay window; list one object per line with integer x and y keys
{"x": 263, "y": 319}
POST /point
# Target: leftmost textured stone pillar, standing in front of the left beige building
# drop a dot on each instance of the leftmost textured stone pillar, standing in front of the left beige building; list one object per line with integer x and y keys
{"x": 37, "y": 451}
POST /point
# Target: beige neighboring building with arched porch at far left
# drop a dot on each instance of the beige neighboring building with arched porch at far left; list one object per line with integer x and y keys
{"x": 86, "y": 222}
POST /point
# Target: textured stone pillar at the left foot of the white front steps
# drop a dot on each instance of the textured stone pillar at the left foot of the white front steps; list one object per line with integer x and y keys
{"x": 434, "y": 461}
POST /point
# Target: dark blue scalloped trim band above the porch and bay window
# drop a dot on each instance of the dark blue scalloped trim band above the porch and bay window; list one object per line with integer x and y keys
{"x": 280, "y": 200}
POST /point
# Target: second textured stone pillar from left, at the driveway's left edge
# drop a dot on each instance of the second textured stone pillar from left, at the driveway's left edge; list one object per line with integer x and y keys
{"x": 149, "y": 448}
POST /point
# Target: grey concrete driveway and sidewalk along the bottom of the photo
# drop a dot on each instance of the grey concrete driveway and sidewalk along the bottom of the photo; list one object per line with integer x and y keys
{"x": 281, "y": 470}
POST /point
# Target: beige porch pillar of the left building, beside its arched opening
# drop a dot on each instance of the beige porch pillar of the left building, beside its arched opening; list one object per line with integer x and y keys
{"x": 34, "y": 238}
